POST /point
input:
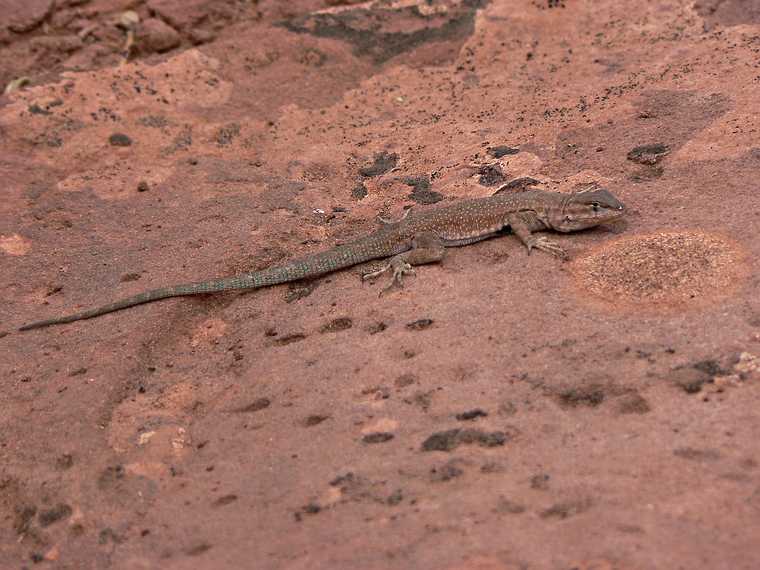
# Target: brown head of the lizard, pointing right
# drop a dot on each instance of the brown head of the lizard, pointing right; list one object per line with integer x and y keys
{"x": 586, "y": 209}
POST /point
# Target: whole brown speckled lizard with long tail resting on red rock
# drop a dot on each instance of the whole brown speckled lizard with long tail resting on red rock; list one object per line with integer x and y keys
{"x": 414, "y": 239}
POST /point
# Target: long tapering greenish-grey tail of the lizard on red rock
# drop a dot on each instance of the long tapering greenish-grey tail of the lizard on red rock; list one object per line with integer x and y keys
{"x": 313, "y": 266}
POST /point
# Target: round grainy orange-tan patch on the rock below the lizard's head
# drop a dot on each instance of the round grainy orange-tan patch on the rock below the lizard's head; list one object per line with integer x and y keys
{"x": 668, "y": 268}
